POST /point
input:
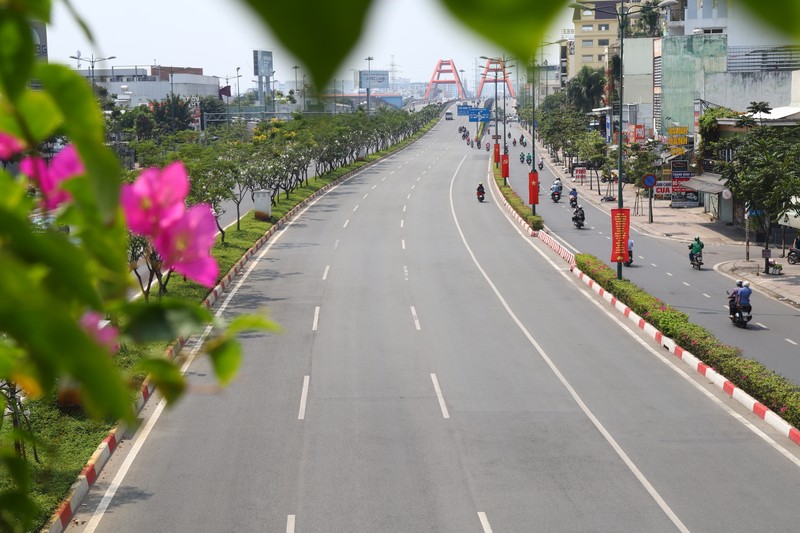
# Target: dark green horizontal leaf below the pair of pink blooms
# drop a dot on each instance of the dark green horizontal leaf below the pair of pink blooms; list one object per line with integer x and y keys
{"x": 164, "y": 320}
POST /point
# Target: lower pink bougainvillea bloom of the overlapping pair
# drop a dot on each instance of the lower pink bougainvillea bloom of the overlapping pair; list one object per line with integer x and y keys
{"x": 185, "y": 245}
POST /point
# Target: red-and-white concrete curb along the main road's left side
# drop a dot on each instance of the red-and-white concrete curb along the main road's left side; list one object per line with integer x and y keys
{"x": 60, "y": 519}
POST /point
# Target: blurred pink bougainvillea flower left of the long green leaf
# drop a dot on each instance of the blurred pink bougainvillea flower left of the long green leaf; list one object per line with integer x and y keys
{"x": 66, "y": 165}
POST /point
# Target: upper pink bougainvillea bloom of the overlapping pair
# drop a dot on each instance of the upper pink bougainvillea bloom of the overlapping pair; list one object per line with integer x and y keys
{"x": 156, "y": 199}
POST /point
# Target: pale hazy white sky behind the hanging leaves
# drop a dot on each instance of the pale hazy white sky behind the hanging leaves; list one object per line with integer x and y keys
{"x": 220, "y": 35}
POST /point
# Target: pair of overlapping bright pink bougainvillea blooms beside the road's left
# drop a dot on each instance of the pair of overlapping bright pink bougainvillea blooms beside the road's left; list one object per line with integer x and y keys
{"x": 154, "y": 206}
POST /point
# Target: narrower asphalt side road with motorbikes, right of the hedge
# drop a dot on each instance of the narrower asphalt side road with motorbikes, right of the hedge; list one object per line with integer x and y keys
{"x": 661, "y": 266}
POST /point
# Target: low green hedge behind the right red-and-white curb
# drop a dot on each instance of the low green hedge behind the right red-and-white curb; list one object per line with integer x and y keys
{"x": 763, "y": 384}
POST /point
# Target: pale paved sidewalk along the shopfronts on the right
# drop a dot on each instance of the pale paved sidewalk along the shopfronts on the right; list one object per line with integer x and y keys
{"x": 683, "y": 224}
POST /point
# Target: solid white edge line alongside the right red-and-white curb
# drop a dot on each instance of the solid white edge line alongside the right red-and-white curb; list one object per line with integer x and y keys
{"x": 646, "y": 345}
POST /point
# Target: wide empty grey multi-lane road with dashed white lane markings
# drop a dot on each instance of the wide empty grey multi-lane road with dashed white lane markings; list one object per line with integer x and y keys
{"x": 439, "y": 371}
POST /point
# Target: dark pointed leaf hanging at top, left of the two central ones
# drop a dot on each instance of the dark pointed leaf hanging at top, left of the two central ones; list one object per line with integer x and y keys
{"x": 321, "y": 37}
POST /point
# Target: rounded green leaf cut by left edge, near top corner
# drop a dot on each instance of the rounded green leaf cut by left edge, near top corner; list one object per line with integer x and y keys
{"x": 16, "y": 53}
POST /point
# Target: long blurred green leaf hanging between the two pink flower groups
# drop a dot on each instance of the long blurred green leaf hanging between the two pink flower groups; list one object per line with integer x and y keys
{"x": 83, "y": 123}
